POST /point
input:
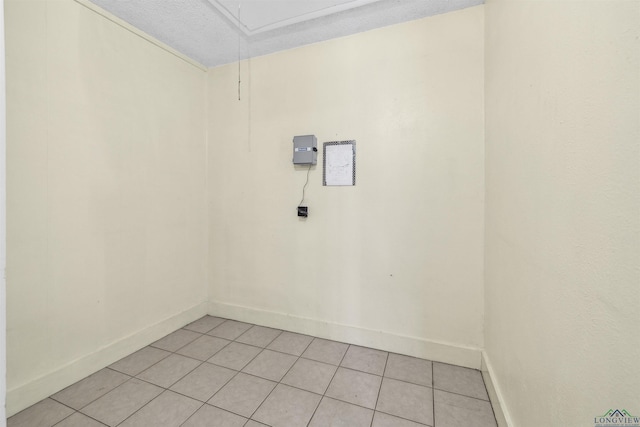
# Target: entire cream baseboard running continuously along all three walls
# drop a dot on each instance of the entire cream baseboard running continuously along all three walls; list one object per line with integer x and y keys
{"x": 32, "y": 392}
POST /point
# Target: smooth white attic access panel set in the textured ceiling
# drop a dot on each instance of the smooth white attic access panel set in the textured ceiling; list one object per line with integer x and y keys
{"x": 257, "y": 16}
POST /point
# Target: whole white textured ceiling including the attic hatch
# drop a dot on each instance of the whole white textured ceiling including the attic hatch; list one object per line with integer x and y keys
{"x": 216, "y": 32}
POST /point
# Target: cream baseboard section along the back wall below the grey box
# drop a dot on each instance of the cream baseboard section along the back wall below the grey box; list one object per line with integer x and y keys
{"x": 382, "y": 340}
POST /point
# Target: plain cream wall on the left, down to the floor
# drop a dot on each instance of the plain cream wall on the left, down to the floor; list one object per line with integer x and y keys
{"x": 105, "y": 190}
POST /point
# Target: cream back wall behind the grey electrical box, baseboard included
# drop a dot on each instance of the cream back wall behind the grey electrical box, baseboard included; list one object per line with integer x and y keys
{"x": 394, "y": 262}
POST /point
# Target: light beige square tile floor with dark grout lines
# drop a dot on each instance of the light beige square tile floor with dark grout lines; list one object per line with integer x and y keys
{"x": 223, "y": 373}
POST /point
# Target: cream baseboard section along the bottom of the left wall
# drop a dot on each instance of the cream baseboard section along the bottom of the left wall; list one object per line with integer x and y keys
{"x": 25, "y": 395}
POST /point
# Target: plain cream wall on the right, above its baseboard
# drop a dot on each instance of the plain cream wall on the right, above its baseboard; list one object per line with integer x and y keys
{"x": 563, "y": 208}
